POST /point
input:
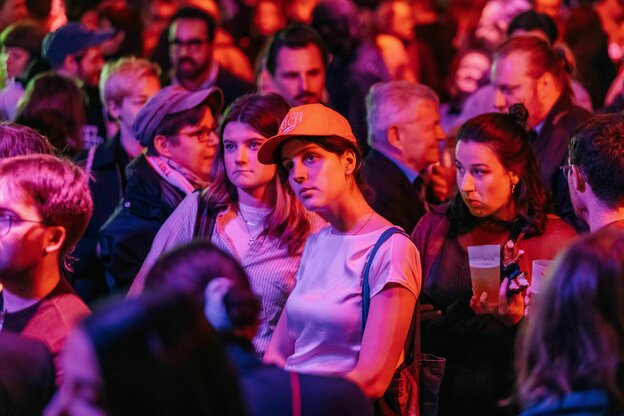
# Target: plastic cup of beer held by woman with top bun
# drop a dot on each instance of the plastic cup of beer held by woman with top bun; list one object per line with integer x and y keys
{"x": 485, "y": 272}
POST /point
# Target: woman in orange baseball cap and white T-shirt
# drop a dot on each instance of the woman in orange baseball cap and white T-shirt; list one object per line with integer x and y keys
{"x": 321, "y": 330}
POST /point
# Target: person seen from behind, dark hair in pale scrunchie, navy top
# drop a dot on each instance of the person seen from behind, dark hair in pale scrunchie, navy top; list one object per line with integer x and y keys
{"x": 221, "y": 285}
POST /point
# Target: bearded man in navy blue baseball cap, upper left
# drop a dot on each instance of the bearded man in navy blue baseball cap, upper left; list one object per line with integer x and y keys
{"x": 74, "y": 51}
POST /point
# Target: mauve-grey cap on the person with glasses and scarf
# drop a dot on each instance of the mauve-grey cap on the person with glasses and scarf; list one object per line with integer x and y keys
{"x": 171, "y": 100}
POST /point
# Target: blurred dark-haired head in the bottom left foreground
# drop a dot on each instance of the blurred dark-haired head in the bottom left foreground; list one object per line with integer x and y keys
{"x": 155, "y": 355}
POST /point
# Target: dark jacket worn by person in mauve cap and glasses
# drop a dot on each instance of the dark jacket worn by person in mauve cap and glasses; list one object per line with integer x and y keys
{"x": 126, "y": 238}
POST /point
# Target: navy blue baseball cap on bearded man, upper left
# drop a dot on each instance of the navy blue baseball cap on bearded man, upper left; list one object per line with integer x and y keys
{"x": 69, "y": 40}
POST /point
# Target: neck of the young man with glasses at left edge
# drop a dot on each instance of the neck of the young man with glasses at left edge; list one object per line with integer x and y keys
{"x": 20, "y": 292}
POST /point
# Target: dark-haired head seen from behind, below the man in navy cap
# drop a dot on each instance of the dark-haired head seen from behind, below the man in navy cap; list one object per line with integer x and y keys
{"x": 54, "y": 105}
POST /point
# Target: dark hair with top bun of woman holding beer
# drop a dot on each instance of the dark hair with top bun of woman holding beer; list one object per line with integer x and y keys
{"x": 506, "y": 135}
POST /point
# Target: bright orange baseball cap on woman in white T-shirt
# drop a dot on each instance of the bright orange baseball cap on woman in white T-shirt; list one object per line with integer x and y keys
{"x": 309, "y": 120}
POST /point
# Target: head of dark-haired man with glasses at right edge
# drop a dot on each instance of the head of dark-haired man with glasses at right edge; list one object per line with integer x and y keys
{"x": 595, "y": 171}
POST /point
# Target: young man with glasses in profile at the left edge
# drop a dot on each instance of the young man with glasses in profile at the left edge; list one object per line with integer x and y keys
{"x": 45, "y": 205}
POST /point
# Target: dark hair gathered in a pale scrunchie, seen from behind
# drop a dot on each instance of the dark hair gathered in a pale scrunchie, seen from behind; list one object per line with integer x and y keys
{"x": 189, "y": 268}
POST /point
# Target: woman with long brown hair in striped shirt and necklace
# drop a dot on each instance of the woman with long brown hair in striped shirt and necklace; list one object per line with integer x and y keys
{"x": 246, "y": 211}
